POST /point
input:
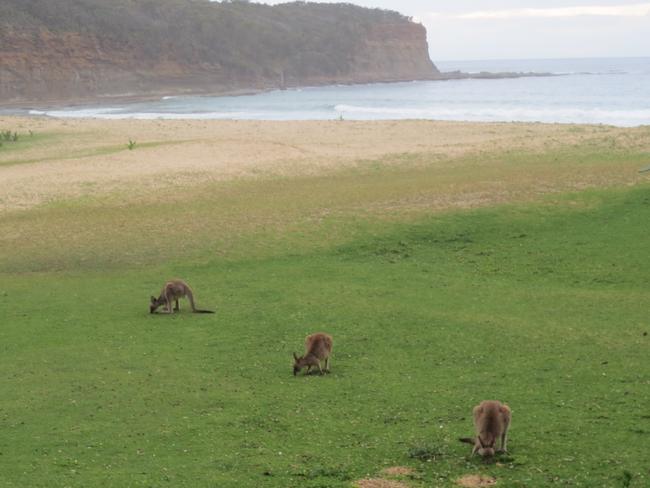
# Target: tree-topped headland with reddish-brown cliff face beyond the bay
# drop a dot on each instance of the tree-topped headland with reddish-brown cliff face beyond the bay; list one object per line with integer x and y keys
{"x": 67, "y": 50}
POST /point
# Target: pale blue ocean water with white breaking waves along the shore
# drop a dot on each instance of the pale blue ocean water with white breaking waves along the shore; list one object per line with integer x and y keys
{"x": 613, "y": 91}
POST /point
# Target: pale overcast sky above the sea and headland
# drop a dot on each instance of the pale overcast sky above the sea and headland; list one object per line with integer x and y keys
{"x": 507, "y": 29}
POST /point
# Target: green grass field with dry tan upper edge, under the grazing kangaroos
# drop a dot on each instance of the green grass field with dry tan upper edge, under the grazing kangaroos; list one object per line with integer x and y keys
{"x": 543, "y": 305}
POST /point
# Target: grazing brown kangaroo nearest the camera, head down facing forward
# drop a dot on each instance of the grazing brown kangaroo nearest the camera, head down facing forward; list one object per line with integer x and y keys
{"x": 491, "y": 422}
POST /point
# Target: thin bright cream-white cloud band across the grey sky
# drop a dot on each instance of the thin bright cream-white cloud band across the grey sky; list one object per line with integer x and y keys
{"x": 629, "y": 10}
